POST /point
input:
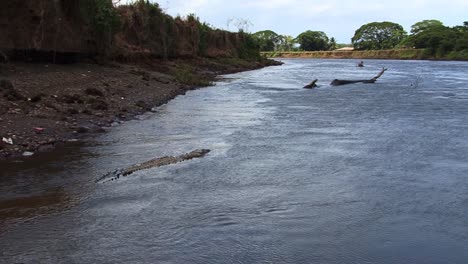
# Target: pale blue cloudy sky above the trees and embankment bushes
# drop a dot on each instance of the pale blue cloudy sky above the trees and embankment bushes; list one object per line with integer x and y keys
{"x": 338, "y": 19}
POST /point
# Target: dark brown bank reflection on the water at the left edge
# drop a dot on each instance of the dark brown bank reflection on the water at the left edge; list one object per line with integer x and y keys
{"x": 42, "y": 185}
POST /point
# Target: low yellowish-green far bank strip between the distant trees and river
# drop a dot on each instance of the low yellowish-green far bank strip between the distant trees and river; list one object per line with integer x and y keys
{"x": 402, "y": 54}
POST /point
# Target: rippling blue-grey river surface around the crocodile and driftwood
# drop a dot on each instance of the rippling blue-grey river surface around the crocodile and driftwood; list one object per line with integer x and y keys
{"x": 361, "y": 173}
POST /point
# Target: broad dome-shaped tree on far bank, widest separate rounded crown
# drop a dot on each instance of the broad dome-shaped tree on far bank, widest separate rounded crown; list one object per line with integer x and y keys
{"x": 378, "y": 35}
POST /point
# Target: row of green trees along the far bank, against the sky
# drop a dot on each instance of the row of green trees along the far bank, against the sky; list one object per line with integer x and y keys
{"x": 437, "y": 39}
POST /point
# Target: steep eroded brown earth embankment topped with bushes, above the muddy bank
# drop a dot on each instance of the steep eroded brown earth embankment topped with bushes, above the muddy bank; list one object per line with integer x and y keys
{"x": 66, "y": 31}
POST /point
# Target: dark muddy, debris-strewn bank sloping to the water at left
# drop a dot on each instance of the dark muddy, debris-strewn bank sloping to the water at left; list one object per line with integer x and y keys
{"x": 43, "y": 105}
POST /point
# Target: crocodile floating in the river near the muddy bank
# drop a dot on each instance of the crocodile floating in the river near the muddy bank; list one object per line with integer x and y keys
{"x": 157, "y": 162}
